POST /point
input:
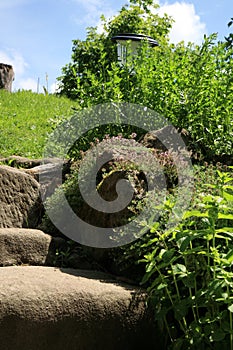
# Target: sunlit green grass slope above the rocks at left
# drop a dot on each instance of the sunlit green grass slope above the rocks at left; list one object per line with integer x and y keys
{"x": 26, "y": 119}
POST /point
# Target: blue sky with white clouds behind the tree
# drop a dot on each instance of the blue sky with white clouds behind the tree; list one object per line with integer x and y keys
{"x": 36, "y": 35}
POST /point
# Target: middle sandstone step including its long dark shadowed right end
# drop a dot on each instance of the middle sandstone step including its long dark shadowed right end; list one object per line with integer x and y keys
{"x": 20, "y": 246}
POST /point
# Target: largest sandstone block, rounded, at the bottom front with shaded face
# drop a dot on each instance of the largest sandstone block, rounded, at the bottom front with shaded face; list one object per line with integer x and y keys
{"x": 44, "y": 308}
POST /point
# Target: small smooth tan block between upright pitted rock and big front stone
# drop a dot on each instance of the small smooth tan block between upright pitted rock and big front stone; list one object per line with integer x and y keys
{"x": 28, "y": 246}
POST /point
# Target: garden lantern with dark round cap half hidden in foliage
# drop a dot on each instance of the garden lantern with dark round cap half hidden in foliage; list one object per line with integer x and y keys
{"x": 130, "y": 43}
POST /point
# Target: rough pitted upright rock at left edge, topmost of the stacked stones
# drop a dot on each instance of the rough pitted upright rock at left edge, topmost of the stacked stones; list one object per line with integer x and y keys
{"x": 20, "y": 203}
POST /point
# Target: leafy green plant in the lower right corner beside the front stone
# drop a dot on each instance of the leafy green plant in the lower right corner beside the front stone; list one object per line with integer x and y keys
{"x": 189, "y": 273}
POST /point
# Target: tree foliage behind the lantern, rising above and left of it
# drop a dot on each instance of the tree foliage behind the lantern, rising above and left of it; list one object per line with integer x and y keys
{"x": 96, "y": 54}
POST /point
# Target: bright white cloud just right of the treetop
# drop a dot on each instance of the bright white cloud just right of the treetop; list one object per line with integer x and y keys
{"x": 187, "y": 26}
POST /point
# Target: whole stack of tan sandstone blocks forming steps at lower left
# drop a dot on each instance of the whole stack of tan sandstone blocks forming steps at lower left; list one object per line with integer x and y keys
{"x": 43, "y": 307}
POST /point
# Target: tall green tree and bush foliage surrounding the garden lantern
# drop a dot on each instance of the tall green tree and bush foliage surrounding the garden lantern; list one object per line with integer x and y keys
{"x": 191, "y": 85}
